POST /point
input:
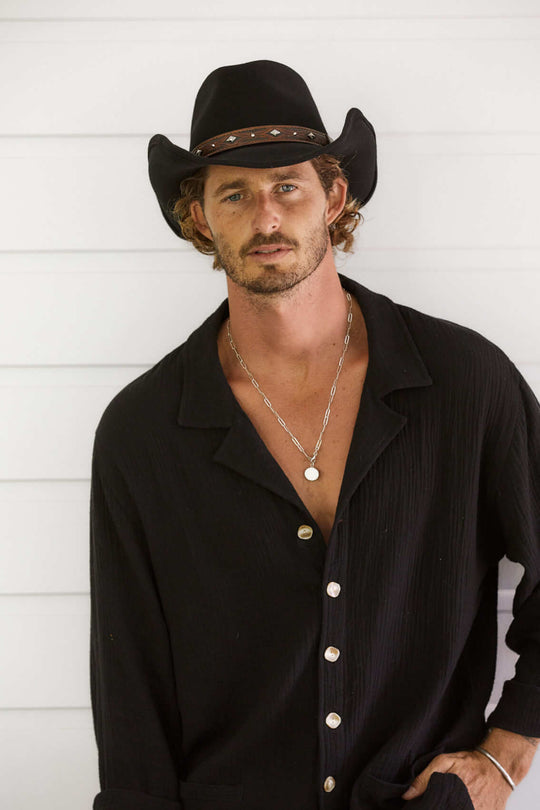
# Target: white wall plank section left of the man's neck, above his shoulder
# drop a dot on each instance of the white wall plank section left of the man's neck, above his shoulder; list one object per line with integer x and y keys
{"x": 101, "y": 318}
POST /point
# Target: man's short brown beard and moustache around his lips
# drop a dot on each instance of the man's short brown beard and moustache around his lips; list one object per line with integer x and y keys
{"x": 268, "y": 278}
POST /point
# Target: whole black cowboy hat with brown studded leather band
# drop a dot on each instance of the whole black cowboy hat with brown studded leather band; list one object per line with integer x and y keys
{"x": 259, "y": 115}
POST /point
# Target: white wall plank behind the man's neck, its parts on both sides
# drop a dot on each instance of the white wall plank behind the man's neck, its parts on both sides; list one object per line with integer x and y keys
{"x": 107, "y": 318}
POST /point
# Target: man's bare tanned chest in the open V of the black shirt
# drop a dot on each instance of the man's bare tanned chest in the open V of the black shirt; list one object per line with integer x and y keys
{"x": 303, "y": 413}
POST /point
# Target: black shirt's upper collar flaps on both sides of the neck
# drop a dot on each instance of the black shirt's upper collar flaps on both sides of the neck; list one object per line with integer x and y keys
{"x": 394, "y": 362}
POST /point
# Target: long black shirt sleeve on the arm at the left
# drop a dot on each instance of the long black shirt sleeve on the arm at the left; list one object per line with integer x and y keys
{"x": 135, "y": 711}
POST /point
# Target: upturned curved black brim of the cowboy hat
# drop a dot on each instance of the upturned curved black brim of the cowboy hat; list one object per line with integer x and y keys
{"x": 169, "y": 164}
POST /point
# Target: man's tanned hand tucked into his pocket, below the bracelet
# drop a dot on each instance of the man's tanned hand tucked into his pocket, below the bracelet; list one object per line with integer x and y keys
{"x": 487, "y": 787}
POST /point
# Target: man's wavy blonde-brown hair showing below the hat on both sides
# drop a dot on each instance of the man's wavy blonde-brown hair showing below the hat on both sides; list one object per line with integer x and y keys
{"x": 328, "y": 169}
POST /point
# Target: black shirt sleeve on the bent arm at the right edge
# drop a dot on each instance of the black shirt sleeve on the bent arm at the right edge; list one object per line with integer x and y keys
{"x": 516, "y": 510}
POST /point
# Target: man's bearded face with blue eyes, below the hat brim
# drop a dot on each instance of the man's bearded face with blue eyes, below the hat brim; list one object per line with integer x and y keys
{"x": 250, "y": 212}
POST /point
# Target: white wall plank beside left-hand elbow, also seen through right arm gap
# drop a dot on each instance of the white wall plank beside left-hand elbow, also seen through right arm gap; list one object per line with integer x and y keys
{"x": 45, "y": 541}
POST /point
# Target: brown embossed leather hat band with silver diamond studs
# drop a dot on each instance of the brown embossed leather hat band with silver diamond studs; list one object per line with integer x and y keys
{"x": 253, "y": 135}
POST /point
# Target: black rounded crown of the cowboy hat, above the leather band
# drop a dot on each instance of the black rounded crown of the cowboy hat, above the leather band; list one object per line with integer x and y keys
{"x": 252, "y": 94}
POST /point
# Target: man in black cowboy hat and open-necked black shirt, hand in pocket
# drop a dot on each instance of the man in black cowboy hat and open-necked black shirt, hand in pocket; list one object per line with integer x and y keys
{"x": 297, "y": 515}
